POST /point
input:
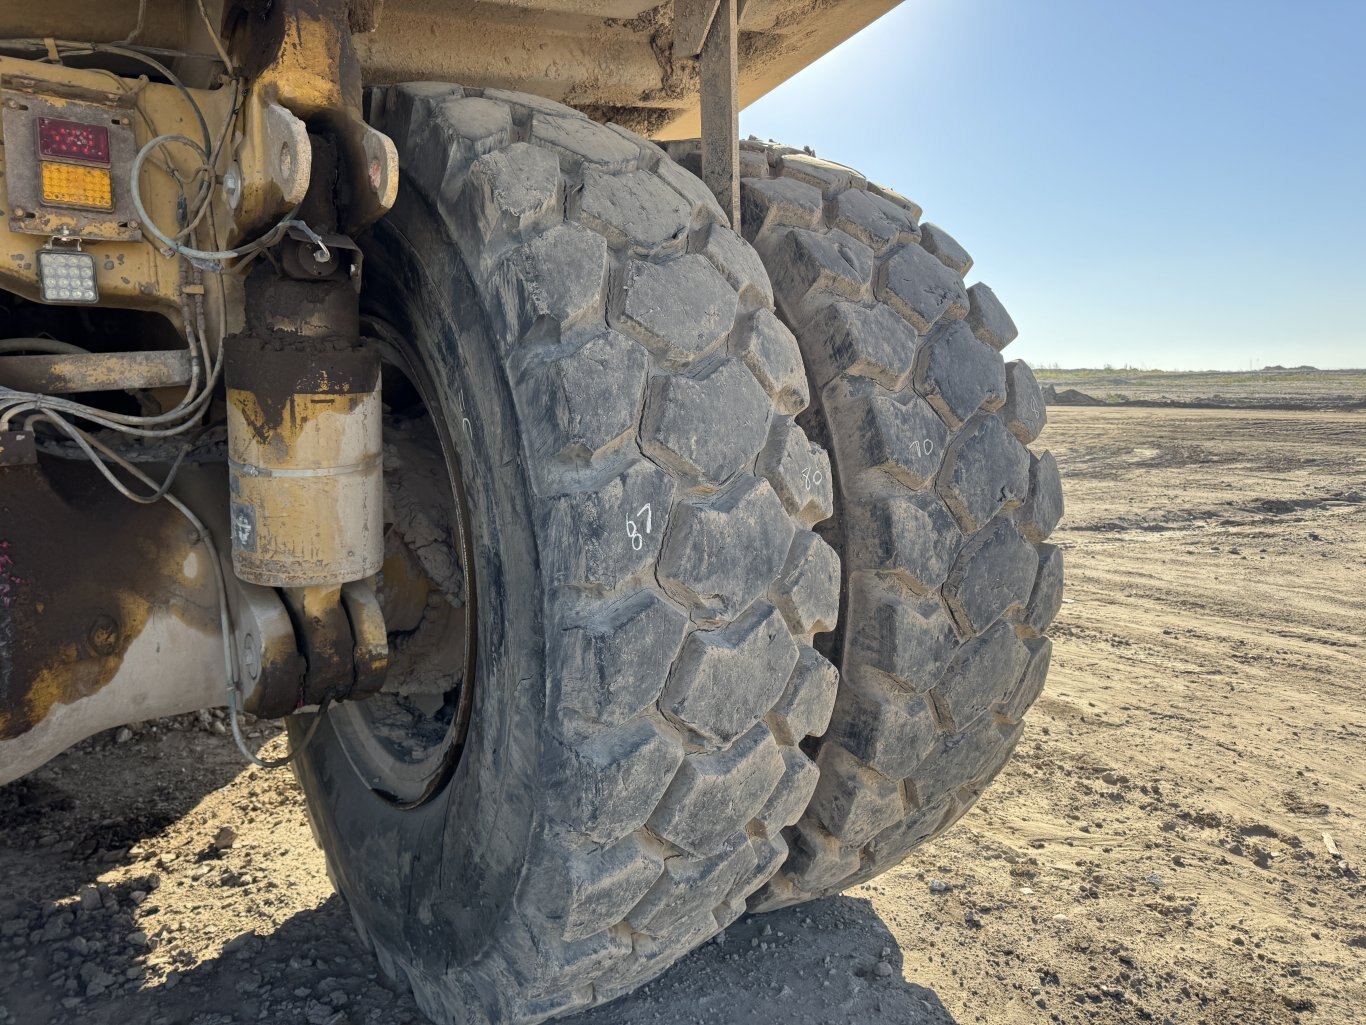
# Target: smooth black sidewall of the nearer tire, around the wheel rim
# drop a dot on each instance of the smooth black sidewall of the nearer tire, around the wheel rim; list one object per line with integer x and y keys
{"x": 405, "y": 873}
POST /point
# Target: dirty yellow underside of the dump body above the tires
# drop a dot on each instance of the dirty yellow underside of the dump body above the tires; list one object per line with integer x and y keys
{"x": 614, "y": 58}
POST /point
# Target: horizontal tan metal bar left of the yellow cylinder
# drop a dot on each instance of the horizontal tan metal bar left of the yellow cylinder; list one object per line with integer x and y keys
{"x": 70, "y": 375}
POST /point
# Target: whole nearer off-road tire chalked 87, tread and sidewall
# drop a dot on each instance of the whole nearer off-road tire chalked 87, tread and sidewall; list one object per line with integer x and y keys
{"x": 645, "y": 575}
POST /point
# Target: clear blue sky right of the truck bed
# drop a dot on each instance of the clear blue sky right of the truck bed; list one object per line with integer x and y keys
{"x": 1171, "y": 184}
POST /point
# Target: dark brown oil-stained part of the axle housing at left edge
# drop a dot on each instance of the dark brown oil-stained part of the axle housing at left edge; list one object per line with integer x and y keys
{"x": 84, "y": 573}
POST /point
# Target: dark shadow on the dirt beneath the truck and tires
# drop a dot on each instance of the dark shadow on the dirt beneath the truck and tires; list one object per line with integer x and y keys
{"x": 109, "y": 957}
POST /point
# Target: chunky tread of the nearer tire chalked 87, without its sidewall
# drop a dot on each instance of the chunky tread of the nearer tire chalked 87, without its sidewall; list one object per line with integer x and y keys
{"x": 681, "y": 684}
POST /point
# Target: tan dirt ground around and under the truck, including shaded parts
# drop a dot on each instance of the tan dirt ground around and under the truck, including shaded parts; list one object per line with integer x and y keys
{"x": 1180, "y": 838}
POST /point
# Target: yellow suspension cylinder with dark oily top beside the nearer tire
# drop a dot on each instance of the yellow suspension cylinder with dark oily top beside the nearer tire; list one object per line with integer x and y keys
{"x": 305, "y": 427}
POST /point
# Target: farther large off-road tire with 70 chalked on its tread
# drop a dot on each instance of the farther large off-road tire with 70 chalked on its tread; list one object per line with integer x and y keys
{"x": 942, "y": 513}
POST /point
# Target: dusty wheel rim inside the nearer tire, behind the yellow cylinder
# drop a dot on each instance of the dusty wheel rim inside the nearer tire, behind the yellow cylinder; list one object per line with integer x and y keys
{"x": 406, "y": 741}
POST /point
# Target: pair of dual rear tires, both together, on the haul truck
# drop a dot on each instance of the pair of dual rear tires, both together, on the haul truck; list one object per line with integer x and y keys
{"x": 667, "y": 614}
